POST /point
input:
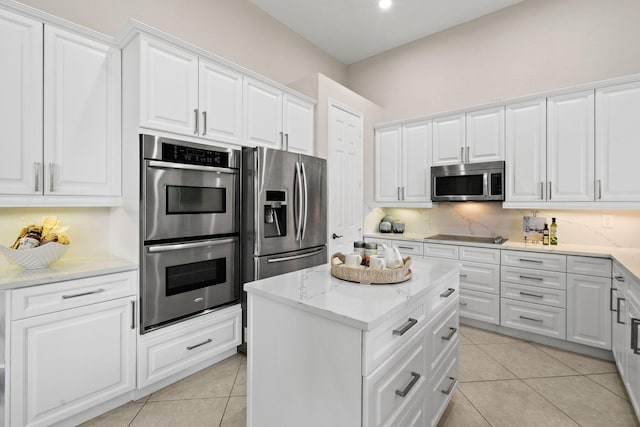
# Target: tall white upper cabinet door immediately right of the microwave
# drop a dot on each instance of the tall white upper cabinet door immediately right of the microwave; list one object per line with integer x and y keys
{"x": 525, "y": 163}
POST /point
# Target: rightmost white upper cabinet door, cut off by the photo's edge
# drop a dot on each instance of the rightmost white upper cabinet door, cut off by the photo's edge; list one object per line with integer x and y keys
{"x": 617, "y": 143}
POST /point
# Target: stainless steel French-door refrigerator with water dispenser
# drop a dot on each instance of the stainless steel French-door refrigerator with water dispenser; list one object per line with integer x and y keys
{"x": 284, "y": 202}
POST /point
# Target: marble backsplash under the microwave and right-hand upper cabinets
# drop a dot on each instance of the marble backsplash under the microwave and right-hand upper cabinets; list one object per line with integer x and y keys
{"x": 489, "y": 219}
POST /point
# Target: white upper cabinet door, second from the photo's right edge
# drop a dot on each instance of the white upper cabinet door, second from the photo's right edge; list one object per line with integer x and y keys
{"x": 570, "y": 147}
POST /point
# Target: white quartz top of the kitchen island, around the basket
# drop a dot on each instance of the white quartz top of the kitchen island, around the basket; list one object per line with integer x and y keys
{"x": 358, "y": 305}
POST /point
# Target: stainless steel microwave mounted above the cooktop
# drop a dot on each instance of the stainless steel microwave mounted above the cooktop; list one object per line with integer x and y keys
{"x": 468, "y": 182}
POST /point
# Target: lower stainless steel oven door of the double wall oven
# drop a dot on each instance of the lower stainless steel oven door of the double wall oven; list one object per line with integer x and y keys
{"x": 186, "y": 278}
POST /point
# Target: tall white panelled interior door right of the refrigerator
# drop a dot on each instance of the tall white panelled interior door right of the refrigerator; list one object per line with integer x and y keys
{"x": 344, "y": 167}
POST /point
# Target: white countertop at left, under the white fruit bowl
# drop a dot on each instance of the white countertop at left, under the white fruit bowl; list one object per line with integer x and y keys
{"x": 14, "y": 277}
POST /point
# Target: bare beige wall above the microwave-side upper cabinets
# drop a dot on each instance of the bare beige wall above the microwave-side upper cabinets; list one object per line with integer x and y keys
{"x": 531, "y": 47}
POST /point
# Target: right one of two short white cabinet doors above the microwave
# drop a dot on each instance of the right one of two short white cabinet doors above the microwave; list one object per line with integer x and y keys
{"x": 485, "y": 135}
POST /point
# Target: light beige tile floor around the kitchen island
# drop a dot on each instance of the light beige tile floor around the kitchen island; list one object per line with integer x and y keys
{"x": 504, "y": 381}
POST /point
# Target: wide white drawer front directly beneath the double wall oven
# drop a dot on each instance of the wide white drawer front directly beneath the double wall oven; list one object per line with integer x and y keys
{"x": 164, "y": 353}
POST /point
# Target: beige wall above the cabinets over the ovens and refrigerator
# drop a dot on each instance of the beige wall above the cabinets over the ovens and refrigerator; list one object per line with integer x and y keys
{"x": 234, "y": 29}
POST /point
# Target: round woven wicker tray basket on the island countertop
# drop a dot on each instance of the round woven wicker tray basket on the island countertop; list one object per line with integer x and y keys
{"x": 370, "y": 276}
